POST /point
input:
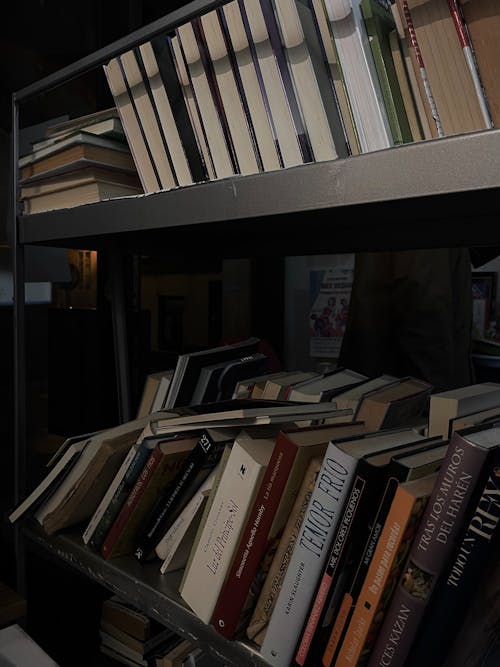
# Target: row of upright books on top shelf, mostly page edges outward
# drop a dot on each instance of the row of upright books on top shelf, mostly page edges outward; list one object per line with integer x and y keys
{"x": 258, "y": 85}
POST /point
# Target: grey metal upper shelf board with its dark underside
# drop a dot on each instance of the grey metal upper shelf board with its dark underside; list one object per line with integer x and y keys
{"x": 437, "y": 193}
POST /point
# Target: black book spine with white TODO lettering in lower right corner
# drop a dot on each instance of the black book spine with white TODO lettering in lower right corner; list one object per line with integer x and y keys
{"x": 474, "y": 550}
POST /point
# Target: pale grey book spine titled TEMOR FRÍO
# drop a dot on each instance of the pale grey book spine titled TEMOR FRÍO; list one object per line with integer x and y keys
{"x": 309, "y": 555}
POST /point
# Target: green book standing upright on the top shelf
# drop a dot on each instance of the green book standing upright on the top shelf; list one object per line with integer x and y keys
{"x": 379, "y": 23}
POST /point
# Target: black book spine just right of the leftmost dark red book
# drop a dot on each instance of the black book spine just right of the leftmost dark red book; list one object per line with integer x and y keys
{"x": 206, "y": 454}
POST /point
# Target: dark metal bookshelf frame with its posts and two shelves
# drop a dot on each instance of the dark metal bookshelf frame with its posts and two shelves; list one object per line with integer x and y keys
{"x": 433, "y": 193}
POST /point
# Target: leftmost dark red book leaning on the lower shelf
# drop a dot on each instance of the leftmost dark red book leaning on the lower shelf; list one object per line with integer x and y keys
{"x": 162, "y": 465}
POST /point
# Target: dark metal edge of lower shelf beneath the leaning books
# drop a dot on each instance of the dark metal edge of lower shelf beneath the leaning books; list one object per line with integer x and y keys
{"x": 143, "y": 585}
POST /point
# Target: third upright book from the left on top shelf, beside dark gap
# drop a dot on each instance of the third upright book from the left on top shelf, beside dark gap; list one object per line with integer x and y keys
{"x": 175, "y": 152}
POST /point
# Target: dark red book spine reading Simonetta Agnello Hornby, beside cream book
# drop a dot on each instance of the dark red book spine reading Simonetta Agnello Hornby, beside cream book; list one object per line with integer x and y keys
{"x": 254, "y": 538}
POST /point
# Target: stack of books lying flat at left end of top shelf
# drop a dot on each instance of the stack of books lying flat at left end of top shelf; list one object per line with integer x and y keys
{"x": 79, "y": 161}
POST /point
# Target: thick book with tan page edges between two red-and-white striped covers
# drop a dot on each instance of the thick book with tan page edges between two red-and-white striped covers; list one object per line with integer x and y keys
{"x": 449, "y": 78}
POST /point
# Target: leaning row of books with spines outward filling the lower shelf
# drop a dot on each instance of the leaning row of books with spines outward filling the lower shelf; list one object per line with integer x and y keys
{"x": 350, "y": 530}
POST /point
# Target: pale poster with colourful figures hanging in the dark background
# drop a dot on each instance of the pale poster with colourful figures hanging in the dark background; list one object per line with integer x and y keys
{"x": 329, "y": 292}
